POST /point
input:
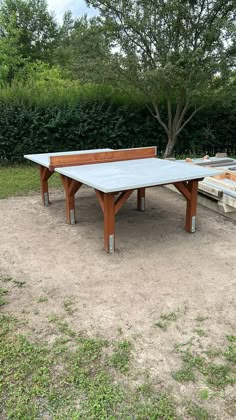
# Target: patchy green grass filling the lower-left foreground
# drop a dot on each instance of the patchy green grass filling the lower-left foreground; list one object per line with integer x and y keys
{"x": 70, "y": 378}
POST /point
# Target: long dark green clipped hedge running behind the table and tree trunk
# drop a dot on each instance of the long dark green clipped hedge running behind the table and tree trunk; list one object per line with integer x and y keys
{"x": 27, "y": 127}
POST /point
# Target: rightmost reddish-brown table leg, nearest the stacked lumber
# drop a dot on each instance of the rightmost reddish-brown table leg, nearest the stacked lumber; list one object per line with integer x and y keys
{"x": 191, "y": 211}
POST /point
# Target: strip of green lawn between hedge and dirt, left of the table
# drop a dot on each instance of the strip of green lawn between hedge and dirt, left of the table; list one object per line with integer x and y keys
{"x": 21, "y": 180}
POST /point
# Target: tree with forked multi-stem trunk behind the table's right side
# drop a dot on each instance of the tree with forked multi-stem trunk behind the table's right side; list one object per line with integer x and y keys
{"x": 171, "y": 51}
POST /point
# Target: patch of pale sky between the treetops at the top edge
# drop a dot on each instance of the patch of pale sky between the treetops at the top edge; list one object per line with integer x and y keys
{"x": 78, "y": 8}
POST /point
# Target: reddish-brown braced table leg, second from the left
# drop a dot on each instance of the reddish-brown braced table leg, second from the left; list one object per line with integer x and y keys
{"x": 71, "y": 187}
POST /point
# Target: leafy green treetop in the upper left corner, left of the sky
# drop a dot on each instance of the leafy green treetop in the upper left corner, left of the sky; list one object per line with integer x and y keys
{"x": 29, "y": 28}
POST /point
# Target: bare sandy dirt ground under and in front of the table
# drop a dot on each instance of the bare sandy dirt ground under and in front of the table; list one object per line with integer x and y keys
{"x": 157, "y": 269}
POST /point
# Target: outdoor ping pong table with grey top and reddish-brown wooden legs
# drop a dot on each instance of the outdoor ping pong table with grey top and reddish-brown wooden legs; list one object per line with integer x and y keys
{"x": 114, "y": 175}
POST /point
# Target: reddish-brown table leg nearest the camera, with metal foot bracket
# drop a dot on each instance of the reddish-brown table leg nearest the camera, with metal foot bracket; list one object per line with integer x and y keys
{"x": 109, "y": 223}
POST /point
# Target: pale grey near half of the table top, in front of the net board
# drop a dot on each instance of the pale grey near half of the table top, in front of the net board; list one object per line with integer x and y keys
{"x": 133, "y": 174}
